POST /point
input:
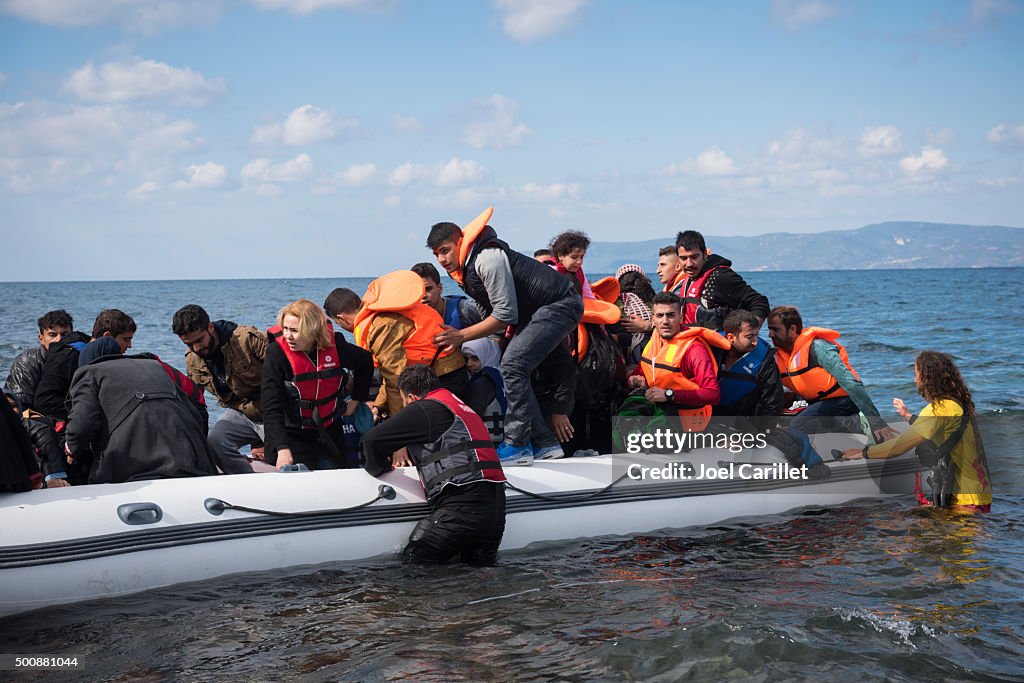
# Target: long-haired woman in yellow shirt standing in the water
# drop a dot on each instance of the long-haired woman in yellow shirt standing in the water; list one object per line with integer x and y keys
{"x": 947, "y": 434}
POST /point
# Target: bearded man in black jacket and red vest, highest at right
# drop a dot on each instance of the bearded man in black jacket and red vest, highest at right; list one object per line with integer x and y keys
{"x": 712, "y": 288}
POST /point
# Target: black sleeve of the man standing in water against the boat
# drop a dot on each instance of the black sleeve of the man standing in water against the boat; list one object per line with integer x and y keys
{"x": 418, "y": 423}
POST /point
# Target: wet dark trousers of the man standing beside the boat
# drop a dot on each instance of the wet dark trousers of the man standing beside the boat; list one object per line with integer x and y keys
{"x": 467, "y": 525}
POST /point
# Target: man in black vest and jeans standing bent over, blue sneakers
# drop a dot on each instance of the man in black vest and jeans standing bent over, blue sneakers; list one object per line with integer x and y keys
{"x": 533, "y": 304}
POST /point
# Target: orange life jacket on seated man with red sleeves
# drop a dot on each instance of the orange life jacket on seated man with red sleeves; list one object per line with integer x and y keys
{"x": 662, "y": 364}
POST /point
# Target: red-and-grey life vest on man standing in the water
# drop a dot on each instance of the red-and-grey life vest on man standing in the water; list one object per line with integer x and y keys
{"x": 462, "y": 455}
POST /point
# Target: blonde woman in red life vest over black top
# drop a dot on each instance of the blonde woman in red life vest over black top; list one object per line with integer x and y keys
{"x": 306, "y": 389}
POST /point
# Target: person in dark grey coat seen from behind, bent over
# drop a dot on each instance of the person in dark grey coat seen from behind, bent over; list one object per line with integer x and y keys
{"x": 137, "y": 422}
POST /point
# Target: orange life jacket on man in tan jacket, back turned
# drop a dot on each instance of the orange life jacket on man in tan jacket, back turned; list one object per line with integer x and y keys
{"x": 401, "y": 292}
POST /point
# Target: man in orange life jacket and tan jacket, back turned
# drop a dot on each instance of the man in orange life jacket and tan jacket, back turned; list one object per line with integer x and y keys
{"x": 398, "y": 329}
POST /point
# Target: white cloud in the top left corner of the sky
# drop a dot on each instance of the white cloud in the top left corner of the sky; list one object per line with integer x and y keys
{"x": 134, "y": 15}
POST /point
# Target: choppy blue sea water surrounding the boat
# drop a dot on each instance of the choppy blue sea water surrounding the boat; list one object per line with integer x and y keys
{"x": 869, "y": 591}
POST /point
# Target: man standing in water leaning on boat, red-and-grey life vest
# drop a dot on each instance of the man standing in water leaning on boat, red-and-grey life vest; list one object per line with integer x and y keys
{"x": 458, "y": 467}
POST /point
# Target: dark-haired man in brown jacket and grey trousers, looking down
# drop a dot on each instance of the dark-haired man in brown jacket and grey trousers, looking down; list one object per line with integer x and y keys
{"x": 227, "y": 360}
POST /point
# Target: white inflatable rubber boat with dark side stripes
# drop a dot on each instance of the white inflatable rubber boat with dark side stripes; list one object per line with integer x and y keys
{"x": 73, "y": 544}
